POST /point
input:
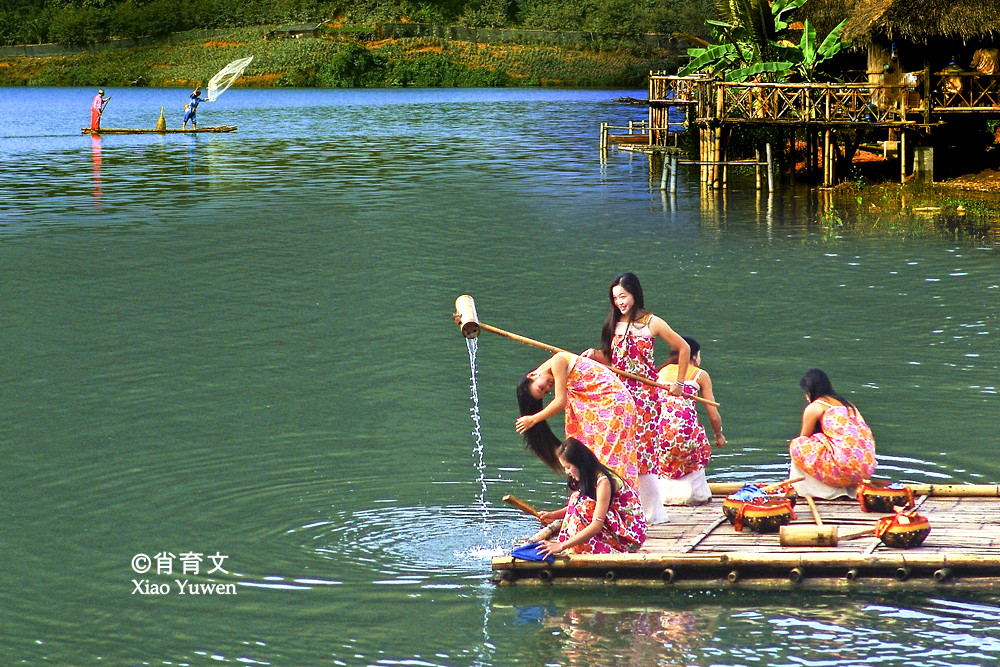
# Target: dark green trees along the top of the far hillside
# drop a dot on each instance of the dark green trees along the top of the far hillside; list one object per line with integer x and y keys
{"x": 83, "y": 22}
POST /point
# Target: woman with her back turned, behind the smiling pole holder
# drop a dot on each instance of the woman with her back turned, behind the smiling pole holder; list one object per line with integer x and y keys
{"x": 685, "y": 449}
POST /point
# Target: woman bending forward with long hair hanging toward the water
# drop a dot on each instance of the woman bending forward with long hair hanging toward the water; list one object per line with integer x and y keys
{"x": 600, "y": 412}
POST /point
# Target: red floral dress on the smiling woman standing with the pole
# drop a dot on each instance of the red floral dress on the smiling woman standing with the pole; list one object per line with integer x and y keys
{"x": 632, "y": 352}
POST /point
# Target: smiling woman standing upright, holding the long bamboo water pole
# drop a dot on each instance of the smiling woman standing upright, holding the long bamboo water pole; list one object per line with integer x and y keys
{"x": 627, "y": 339}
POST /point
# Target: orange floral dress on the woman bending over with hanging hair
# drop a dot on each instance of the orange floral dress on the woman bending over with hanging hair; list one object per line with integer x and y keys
{"x": 600, "y": 413}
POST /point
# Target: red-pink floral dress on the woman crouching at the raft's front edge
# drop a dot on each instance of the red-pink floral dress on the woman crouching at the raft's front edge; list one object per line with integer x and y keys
{"x": 624, "y": 525}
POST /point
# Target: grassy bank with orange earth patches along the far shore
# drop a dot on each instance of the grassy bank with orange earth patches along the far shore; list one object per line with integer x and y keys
{"x": 337, "y": 61}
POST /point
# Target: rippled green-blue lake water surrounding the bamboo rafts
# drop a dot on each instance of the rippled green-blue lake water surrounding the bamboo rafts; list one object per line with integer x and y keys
{"x": 239, "y": 346}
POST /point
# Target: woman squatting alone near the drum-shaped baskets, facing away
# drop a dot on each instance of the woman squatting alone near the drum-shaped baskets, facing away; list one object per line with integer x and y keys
{"x": 835, "y": 450}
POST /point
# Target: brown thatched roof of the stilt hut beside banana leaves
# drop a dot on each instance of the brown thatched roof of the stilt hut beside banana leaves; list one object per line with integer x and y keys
{"x": 920, "y": 20}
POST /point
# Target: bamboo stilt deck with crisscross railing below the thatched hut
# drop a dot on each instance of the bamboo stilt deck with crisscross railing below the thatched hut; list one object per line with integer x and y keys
{"x": 830, "y": 119}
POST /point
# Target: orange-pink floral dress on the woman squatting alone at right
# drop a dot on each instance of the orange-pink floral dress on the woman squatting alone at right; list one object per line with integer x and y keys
{"x": 842, "y": 454}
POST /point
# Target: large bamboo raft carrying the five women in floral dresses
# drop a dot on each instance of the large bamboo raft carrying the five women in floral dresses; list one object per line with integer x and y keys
{"x": 700, "y": 549}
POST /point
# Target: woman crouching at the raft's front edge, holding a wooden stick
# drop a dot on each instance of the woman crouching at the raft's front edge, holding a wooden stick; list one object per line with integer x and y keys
{"x": 603, "y": 514}
